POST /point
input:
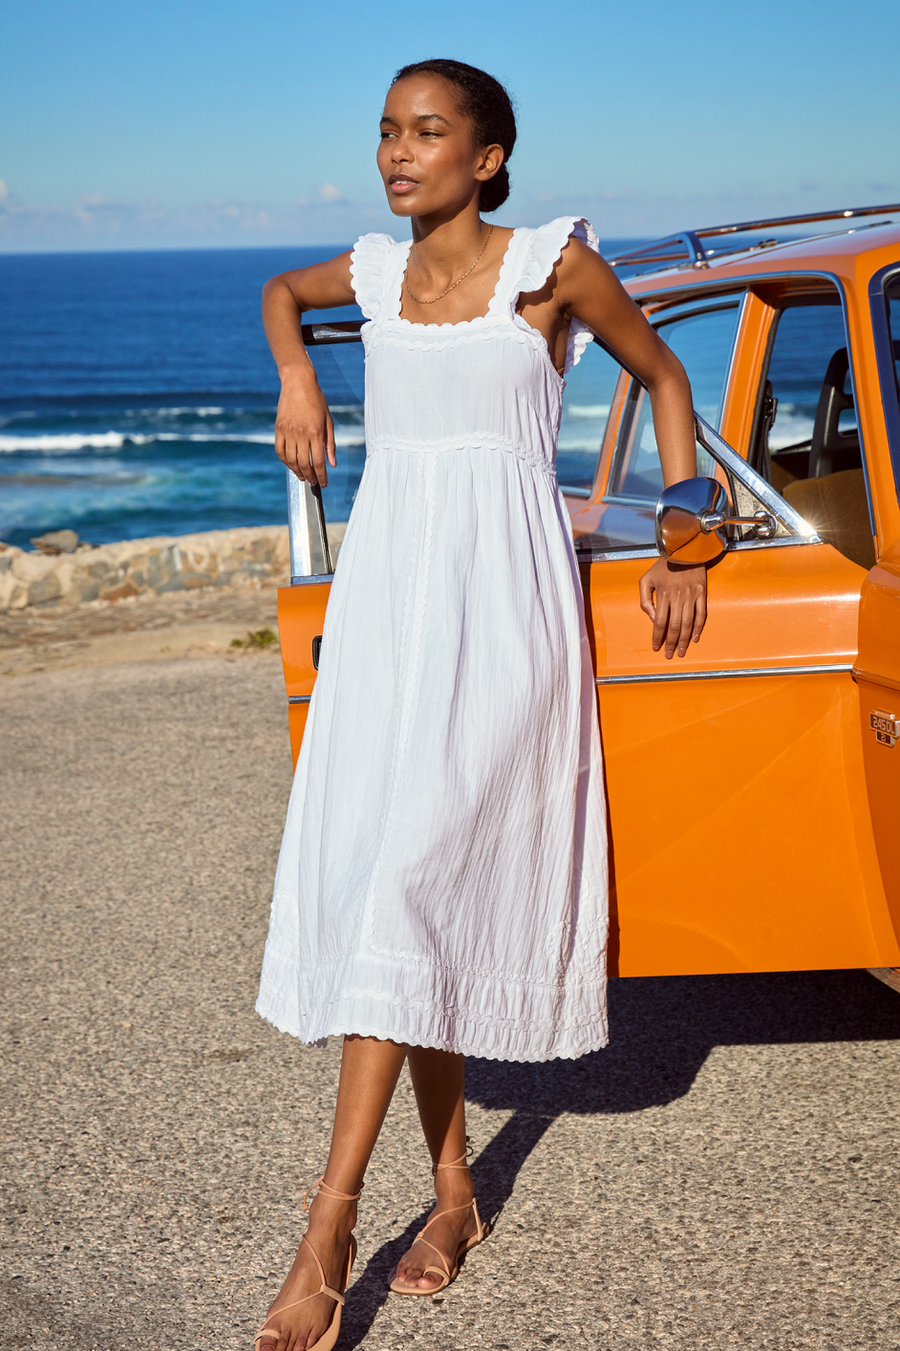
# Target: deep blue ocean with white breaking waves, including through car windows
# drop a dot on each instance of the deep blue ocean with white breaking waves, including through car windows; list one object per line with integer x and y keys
{"x": 139, "y": 397}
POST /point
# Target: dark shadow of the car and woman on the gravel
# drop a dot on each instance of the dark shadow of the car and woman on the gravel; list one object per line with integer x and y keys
{"x": 661, "y": 1031}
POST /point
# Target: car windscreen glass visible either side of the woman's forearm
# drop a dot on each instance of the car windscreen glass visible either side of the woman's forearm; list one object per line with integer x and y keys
{"x": 703, "y": 344}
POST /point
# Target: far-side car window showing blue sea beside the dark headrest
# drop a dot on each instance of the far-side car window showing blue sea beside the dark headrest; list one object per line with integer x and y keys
{"x": 806, "y": 340}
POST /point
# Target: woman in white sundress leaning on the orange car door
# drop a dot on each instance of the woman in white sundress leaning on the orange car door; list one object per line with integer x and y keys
{"x": 443, "y": 884}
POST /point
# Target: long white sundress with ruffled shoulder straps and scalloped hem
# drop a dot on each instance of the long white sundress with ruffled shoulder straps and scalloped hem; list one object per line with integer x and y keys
{"x": 443, "y": 877}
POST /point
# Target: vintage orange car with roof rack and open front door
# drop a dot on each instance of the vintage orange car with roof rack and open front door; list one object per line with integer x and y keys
{"x": 755, "y": 786}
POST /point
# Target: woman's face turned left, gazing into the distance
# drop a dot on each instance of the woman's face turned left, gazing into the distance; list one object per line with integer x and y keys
{"x": 428, "y": 157}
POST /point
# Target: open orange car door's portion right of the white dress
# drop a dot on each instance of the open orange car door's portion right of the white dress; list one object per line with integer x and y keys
{"x": 740, "y": 825}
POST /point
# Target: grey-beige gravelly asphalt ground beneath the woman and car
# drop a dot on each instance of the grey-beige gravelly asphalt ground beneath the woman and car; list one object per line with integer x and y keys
{"x": 724, "y": 1175}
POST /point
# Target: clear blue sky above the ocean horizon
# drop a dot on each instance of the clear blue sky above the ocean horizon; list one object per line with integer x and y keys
{"x": 193, "y": 124}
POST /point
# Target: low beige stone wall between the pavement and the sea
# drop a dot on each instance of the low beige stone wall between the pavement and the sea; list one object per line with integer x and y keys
{"x": 249, "y": 557}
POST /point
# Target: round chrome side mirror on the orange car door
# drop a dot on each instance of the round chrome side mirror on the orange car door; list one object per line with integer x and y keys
{"x": 693, "y": 518}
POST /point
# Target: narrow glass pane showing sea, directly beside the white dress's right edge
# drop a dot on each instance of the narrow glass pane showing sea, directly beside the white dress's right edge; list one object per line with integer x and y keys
{"x": 586, "y": 411}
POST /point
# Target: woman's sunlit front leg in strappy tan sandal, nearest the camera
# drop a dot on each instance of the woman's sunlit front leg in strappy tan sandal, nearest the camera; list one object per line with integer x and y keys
{"x": 370, "y": 1072}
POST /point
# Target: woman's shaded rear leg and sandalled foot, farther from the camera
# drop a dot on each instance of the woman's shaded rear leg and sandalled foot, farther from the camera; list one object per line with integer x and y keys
{"x": 439, "y": 1079}
